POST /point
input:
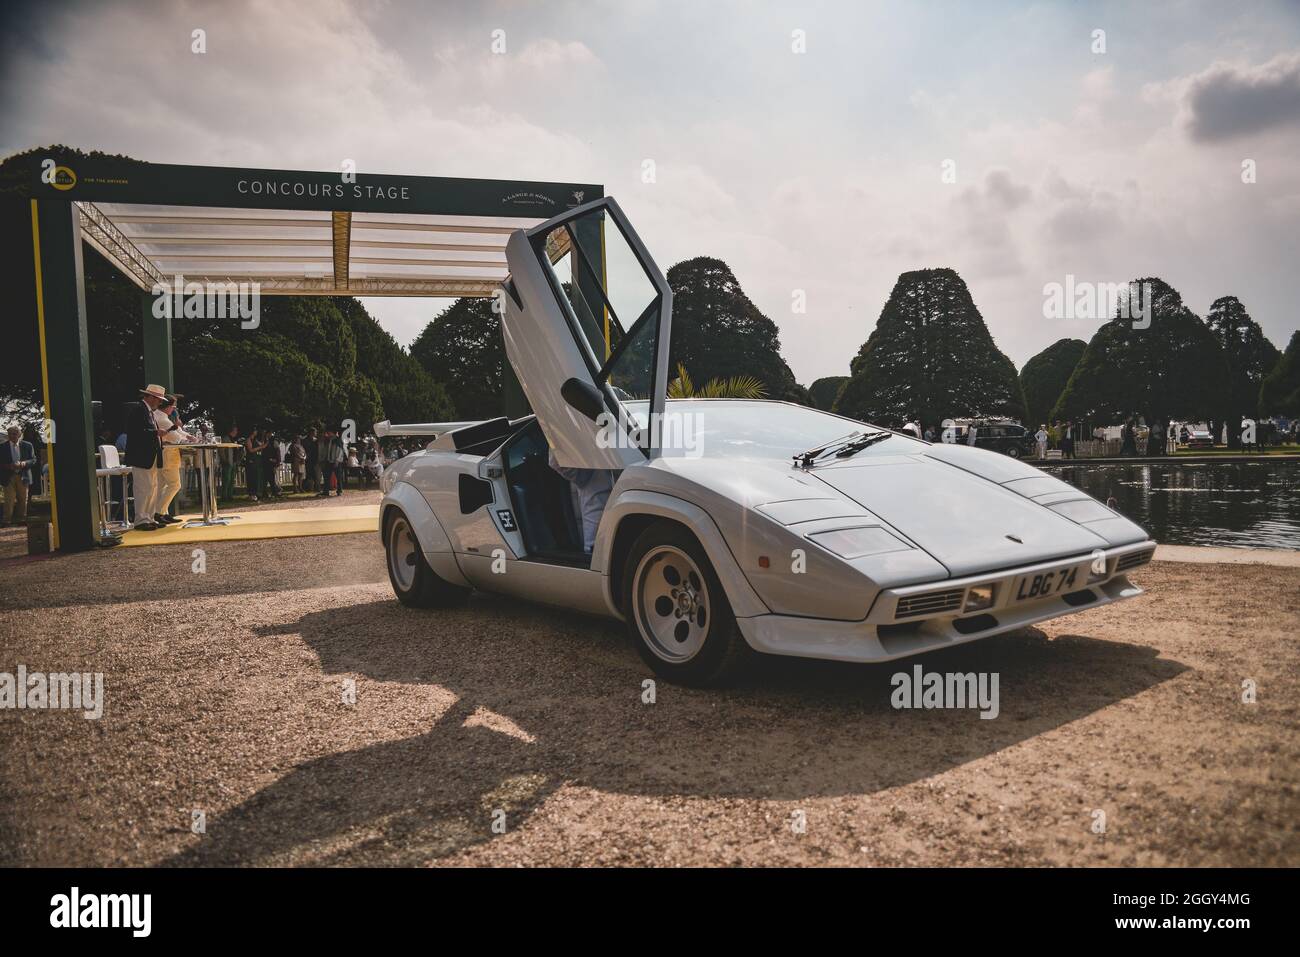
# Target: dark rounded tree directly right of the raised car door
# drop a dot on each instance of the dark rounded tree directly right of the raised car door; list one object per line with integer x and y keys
{"x": 720, "y": 334}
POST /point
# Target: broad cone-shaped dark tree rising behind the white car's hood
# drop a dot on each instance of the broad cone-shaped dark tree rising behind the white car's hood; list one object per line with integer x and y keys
{"x": 930, "y": 358}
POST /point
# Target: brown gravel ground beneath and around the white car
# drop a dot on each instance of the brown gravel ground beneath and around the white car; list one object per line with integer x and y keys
{"x": 224, "y": 695}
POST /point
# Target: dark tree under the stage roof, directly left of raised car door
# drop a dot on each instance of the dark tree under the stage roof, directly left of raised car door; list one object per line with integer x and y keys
{"x": 463, "y": 350}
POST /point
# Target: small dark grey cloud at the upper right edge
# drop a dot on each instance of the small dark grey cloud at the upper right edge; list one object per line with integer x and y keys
{"x": 1229, "y": 101}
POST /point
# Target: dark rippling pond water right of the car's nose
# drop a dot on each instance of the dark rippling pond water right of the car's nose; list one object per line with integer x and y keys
{"x": 1236, "y": 504}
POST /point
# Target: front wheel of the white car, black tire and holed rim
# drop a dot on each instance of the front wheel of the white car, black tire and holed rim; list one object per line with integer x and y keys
{"x": 716, "y": 652}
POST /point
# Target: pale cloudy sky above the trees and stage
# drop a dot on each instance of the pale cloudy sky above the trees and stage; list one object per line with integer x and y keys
{"x": 818, "y": 171}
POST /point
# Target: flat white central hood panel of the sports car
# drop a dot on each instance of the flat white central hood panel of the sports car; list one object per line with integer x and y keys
{"x": 967, "y": 522}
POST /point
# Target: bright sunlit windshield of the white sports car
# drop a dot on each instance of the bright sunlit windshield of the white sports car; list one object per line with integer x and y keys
{"x": 746, "y": 430}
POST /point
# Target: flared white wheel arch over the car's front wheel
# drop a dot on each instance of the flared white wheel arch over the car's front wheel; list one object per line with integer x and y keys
{"x": 743, "y": 599}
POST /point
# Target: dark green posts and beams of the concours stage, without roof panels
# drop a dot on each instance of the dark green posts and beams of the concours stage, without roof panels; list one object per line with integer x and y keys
{"x": 62, "y": 187}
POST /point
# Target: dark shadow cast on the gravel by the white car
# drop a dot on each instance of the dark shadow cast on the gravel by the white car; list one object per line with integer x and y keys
{"x": 791, "y": 730}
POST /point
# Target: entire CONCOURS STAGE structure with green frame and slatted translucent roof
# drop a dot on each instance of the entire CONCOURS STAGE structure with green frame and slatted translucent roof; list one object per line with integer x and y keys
{"x": 292, "y": 232}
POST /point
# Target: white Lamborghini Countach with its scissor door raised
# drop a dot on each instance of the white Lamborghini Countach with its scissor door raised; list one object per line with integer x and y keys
{"x": 717, "y": 529}
